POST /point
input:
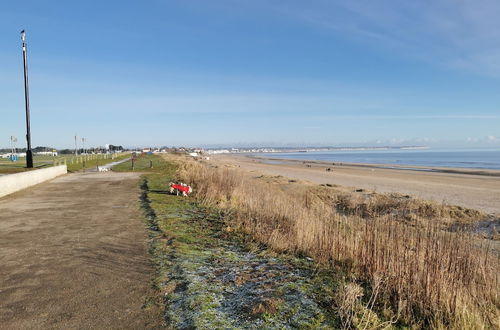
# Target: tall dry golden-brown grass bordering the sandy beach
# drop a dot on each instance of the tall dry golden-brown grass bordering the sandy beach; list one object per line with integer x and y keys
{"x": 425, "y": 275}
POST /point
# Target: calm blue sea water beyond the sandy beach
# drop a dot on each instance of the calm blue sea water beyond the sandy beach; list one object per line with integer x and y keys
{"x": 483, "y": 159}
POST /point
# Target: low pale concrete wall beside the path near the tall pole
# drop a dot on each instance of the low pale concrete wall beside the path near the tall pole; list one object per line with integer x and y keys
{"x": 15, "y": 182}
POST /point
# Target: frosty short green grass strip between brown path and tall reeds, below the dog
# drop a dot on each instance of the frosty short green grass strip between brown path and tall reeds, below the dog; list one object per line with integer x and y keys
{"x": 211, "y": 280}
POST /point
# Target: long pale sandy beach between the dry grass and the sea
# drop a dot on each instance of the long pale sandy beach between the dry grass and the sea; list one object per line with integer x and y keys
{"x": 477, "y": 189}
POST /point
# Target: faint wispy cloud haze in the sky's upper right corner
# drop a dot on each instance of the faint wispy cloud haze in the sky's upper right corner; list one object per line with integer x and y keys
{"x": 461, "y": 34}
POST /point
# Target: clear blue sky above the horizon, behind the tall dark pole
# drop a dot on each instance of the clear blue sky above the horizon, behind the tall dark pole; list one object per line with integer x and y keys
{"x": 234, "y": 72}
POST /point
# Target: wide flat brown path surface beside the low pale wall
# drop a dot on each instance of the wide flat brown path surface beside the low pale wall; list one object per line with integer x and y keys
{"x": 73, "y": 255}
